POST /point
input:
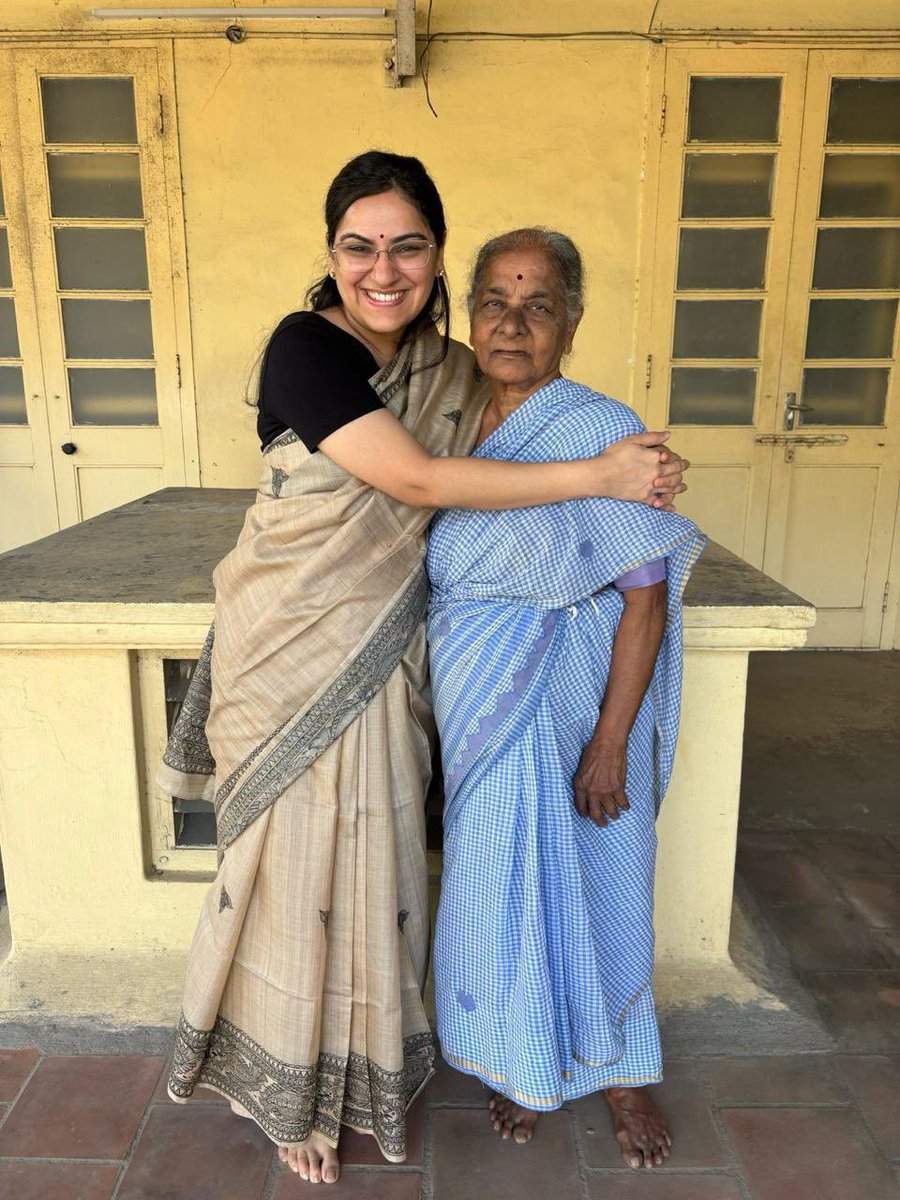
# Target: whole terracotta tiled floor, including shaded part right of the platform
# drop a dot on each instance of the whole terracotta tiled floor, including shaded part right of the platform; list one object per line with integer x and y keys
{"x": 788, "y": 1127}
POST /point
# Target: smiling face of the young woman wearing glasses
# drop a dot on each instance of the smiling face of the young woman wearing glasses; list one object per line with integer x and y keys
{"x": 381, "y": 299}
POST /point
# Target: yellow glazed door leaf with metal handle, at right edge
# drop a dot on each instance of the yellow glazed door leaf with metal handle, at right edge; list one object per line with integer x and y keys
{"x": 837, "y": 470}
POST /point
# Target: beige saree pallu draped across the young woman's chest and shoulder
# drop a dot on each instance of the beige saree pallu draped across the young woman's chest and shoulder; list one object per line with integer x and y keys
{"x": 315, "y": 607}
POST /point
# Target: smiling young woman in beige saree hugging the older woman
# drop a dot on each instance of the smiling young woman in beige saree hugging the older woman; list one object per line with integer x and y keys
{"x": 310, "y": 707}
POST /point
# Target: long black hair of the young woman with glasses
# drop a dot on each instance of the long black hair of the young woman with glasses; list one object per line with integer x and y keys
{"x": 373, "y": 175}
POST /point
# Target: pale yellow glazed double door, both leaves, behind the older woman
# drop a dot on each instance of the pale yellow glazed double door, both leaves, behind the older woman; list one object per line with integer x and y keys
{"x": 775, "y": 315}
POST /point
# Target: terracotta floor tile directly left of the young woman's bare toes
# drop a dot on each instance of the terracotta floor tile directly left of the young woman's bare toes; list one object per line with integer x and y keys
{"x": 205, "y": 1153}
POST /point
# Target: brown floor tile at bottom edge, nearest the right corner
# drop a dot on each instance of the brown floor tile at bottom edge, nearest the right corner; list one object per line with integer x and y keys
{"x": 808, "y": 1155}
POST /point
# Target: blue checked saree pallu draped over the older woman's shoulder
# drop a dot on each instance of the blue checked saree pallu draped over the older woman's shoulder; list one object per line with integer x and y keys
{"x": 515, "y": 579}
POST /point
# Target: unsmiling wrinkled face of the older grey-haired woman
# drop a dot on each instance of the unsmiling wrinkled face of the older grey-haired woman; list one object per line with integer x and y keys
{"x": 520, "y": 328}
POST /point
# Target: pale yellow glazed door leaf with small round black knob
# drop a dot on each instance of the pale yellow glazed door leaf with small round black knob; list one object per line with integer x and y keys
{"x": 99, "y": 209}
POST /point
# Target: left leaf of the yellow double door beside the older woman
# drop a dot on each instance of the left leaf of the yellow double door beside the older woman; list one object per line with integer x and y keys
{"x": 728, "y": 182}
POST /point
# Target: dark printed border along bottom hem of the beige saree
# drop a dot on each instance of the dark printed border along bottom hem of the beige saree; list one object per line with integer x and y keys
{"x": 291, "y": 1101}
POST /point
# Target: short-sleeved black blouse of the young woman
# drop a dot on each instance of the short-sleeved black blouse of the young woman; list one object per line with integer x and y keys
{"x": 315, "y": 380}
